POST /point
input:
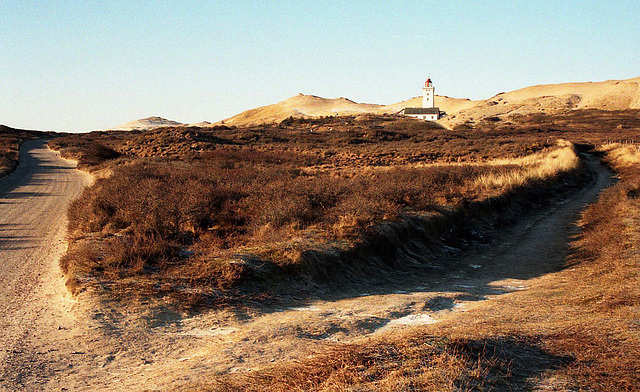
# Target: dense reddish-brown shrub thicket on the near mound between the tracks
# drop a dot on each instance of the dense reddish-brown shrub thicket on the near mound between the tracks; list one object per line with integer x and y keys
{"x": 150, "y": 210}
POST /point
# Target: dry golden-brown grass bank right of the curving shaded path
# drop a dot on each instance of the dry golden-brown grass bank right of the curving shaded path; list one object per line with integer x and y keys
{"x": 577, "y": 330}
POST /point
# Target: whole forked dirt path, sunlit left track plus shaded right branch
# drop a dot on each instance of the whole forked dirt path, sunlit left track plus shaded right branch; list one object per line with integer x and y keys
{"x": 51, "y": 342}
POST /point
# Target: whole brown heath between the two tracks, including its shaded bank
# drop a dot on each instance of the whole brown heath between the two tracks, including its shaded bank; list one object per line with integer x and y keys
{"x": 211, "y": 213}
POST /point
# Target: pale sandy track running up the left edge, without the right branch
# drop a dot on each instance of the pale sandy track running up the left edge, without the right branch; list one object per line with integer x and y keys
{"x": 33, "y": 203}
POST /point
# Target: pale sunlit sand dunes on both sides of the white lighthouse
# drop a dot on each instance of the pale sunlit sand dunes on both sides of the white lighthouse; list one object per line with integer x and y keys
{"x": 551, "y": 98}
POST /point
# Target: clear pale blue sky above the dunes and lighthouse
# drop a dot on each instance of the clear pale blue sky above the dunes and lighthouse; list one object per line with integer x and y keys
{"x": 83, "y": 65}
